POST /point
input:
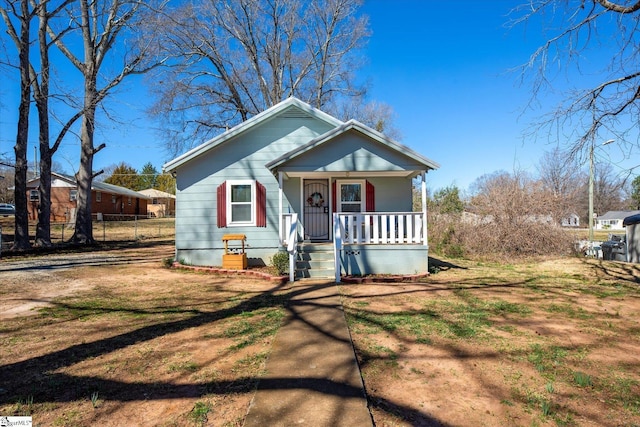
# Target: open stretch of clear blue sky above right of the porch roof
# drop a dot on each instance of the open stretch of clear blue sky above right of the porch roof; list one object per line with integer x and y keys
{"x": 445, "y": 71}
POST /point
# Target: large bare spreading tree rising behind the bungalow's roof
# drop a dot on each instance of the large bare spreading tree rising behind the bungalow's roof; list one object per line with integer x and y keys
{"x": 235, "y": 58}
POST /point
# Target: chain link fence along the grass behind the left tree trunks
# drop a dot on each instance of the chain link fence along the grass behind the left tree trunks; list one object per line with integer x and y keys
{"x": 114, "y": 228}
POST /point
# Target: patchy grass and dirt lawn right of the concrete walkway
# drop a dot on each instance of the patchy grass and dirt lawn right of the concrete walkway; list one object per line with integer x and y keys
{"x": 546, "y": 343}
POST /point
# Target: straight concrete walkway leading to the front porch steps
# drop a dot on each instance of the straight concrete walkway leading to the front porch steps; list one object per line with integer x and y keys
{"x": 312, "y": 375}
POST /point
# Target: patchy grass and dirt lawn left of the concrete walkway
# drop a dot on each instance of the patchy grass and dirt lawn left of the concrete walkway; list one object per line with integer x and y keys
{"x": 133, "y": 344}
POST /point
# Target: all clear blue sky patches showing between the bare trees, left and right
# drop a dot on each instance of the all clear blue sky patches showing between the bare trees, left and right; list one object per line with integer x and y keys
{"x": 443, "y": 68}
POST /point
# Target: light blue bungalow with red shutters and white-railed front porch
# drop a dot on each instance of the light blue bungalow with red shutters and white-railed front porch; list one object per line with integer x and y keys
{"x": 336, "y": 195}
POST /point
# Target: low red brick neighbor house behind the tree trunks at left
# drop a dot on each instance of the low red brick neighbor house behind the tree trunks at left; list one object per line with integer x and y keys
{"x": 107, "y": 201}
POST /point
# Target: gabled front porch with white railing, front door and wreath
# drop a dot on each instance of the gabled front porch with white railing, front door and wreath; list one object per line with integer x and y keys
{"x": 352, "y": 188}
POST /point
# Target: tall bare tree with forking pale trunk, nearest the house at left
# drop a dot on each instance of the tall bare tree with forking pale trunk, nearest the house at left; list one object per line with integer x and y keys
{"x": 104, "y": 27}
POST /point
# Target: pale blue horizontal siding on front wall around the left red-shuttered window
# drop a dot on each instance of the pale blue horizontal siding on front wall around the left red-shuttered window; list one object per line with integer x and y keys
{"x": 198, "y": 239}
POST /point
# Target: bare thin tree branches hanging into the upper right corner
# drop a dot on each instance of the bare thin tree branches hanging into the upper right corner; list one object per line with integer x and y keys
{"x": 607, "y": 102}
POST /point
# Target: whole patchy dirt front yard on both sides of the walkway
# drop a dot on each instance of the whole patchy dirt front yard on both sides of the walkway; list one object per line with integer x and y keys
{"x": 115, "y": 338}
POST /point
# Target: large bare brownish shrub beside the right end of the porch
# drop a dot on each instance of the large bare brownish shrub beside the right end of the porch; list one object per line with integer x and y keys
{"x": 510, "y": 216}
